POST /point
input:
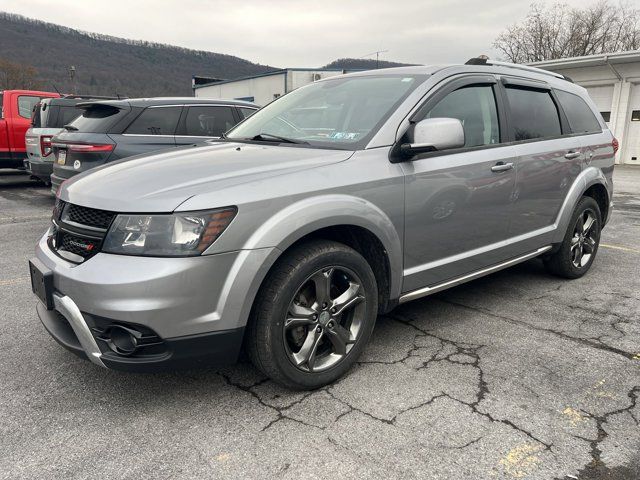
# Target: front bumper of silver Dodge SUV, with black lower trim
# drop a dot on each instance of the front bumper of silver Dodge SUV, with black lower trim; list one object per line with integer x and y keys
{"x": 188, "y": 311}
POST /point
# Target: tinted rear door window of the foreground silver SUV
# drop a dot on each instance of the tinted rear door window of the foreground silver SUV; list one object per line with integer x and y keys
{"x": 533, "y": 114}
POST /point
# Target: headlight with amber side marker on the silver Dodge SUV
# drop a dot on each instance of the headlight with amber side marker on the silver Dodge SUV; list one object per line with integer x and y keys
{"x": 173, "y": 235}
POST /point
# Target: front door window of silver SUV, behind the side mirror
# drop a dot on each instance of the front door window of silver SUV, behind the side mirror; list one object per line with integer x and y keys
{"x": 475, "y": 107}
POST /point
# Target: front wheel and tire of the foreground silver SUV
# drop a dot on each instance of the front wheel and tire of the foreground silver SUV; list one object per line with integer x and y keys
{"x": 296, "y": 340}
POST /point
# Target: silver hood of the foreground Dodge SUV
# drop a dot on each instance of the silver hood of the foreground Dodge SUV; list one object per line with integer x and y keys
{"x": 161, "y": 182}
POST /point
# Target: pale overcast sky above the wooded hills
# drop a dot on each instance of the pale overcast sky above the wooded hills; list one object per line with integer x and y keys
{"x": 296, "y": 33}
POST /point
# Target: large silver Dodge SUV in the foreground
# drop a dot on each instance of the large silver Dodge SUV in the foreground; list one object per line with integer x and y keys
{"x": 291, "y": 241}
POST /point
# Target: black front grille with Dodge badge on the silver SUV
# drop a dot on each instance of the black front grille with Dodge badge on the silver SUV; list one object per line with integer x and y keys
{"x": 78, "y": 231}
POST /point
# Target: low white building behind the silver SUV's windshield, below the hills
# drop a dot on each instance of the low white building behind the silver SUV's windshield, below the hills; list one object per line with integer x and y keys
{"x": 264, "y": 88}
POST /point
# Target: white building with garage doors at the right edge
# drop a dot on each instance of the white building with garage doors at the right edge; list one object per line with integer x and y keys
{"x": 613, "y": 82}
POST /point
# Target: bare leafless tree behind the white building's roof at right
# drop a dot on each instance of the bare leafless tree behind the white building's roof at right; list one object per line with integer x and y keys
{"x": 558, "y": 31}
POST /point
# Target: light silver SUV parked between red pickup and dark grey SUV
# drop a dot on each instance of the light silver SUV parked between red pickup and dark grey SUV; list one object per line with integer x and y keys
{"x": 49, "y": 117}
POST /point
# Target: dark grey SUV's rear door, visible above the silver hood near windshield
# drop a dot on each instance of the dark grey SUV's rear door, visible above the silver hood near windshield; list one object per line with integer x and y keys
{"x": 203, "y": 122}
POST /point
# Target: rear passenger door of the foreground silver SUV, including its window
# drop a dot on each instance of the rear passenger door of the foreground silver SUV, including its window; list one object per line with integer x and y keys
{"x": 548, "y": 158}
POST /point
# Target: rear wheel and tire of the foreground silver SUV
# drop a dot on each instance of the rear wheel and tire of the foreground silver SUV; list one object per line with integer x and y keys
{"x": 578, "y": 242}
